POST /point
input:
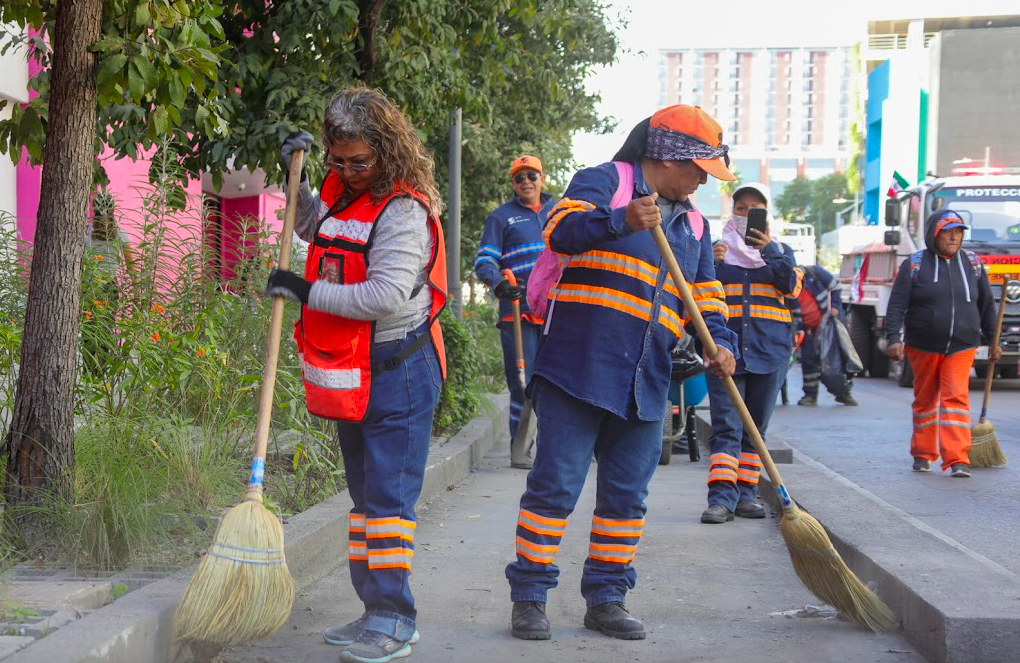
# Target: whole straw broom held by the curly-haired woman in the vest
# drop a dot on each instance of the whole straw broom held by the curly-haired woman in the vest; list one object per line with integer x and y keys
{"x": 243, "y": 590}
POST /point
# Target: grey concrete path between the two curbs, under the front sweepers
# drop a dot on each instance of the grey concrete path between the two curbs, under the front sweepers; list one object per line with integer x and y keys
{"x": 706, "y": 593}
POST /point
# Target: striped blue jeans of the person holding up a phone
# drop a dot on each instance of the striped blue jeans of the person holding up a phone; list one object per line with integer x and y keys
{"x": 735, "y": 466}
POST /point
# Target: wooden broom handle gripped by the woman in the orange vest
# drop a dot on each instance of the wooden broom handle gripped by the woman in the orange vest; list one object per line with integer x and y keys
{"x": 277, "y": 319}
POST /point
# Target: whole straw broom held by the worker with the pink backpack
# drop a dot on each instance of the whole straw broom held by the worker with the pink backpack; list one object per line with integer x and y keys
{"x": 815, "y": 560}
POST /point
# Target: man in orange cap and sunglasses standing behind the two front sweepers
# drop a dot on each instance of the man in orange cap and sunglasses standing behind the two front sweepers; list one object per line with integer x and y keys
{"x": 513, "y": 240}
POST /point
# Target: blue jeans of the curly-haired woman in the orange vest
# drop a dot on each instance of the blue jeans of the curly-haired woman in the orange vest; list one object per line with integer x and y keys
{"x": 385, "y": 458}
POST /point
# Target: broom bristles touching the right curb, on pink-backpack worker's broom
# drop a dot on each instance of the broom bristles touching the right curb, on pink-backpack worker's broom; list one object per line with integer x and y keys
{"x": 828, "y": 577}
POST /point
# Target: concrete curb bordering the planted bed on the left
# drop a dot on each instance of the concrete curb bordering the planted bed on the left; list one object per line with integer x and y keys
{"x": 140, "y": 626}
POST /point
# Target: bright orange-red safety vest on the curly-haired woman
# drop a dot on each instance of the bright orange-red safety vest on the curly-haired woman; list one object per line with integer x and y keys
{"x": 336, "y": 352}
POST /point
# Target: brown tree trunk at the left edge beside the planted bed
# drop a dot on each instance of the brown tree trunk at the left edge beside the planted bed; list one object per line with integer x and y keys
{"x": 39, "y": 445}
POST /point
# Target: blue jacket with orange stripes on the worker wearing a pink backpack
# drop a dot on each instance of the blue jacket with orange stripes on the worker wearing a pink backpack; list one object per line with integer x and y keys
{"x": 616, "y": 316}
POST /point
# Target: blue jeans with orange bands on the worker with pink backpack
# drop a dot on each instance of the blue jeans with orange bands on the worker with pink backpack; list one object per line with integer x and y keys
{"x": 628, "y": 452}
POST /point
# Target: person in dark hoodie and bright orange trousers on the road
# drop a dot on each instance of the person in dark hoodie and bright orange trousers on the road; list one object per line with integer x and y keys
{"x": 943, "y": 297}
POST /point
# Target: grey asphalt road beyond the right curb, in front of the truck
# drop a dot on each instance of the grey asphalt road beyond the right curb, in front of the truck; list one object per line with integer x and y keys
{"x": 871, "y": 446}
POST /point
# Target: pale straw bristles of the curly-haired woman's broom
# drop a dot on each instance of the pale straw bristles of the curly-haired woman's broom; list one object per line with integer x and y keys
{"x": 243, "y": 590}
